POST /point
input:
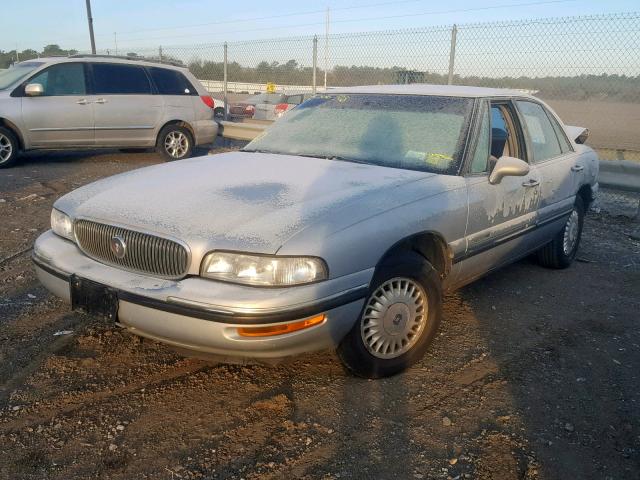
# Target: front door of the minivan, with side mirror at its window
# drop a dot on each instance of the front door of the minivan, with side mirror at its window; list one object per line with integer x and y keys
{"x": 63, "y": 115}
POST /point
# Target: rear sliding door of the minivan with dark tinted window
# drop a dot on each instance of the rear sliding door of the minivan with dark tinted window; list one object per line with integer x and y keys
{"x": 126, "y": 111}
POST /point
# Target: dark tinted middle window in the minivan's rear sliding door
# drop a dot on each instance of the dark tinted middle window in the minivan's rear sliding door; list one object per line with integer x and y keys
{"x": 120, "y": 79}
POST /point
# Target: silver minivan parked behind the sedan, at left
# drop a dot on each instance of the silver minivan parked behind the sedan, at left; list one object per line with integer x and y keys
{"x": 87, "y": 101}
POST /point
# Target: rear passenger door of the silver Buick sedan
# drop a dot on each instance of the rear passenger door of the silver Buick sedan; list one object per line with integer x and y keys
{"x": 554, "y": 159}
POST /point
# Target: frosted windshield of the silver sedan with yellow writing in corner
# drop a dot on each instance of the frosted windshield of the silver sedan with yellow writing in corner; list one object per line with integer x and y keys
{"x": 424, "y": 133}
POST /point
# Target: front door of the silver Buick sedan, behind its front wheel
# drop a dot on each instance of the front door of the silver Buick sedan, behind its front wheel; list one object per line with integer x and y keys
{"x": 500, "y": 215}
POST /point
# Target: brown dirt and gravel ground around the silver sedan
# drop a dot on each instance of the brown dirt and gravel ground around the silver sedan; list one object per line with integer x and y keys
{"x": 534, "y": 375}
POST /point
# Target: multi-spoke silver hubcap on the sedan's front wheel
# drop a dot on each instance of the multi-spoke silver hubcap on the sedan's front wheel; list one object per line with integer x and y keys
{"x": 394, "y": 317}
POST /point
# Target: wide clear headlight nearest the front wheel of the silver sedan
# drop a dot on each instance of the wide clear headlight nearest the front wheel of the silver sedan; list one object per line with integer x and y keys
{"x": 262, "y": 270}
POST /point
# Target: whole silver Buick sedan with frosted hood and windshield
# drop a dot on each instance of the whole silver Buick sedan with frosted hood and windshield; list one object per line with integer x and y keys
{"x": 341, "y": 226}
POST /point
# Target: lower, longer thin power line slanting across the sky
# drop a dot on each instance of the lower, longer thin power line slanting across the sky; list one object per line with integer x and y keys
{"x": 354, "y": 20}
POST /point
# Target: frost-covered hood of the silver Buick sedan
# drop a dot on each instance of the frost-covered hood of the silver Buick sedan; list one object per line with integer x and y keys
{"x": 239, "y": 201}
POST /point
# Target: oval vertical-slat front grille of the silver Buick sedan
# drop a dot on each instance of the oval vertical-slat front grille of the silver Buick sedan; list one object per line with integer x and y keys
{"x": 144, "y": 253}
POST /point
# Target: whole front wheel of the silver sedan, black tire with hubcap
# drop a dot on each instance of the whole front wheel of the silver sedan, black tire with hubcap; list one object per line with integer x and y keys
{"x": 397, "y": 274}
